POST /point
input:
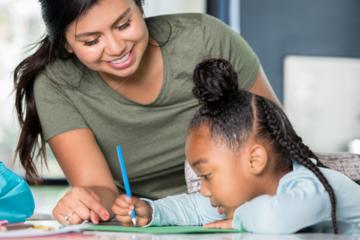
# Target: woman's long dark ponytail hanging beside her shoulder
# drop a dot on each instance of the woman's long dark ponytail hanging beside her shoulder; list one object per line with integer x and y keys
{"x": 31, "y": 143}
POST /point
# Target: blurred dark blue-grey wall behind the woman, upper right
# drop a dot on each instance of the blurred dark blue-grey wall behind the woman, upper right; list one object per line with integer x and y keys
{"x": 277, "y": 28}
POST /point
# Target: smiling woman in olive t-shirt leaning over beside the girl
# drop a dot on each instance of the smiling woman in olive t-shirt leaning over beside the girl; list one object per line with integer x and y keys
{"x": 104, "y": 75}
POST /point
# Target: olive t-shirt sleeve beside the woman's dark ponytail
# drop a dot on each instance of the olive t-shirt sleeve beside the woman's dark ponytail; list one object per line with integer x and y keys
{"x": 56, "y": 111}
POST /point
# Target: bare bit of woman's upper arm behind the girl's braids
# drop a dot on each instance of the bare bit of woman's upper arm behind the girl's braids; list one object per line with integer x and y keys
{"x": 263, "y": 88}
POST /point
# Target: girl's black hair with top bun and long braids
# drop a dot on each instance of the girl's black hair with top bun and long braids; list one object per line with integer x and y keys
{"x": 233, "y": 114}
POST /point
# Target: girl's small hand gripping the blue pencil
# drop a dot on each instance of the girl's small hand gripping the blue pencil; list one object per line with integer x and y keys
{"x": 123, "y": 206}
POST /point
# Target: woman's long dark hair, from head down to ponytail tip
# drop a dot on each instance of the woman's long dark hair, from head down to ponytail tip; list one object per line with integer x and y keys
{"x": 57, "y": 15}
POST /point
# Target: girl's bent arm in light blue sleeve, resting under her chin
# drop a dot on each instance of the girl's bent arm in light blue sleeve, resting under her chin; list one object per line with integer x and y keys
{"x": 300, "y": 204}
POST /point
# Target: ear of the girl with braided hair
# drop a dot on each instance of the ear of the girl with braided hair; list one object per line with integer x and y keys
{"x": 258, "y": 159}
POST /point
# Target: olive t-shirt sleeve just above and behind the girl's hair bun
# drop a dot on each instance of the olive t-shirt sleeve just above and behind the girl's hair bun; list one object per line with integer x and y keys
{"x": 222, "y": 41}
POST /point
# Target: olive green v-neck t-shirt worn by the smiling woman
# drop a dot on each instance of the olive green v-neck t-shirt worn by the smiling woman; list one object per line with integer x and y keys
{"x": 70, "y": 96}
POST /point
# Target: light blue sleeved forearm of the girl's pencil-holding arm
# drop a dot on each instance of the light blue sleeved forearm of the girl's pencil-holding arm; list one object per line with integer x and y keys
{"x": 185, "y": 209}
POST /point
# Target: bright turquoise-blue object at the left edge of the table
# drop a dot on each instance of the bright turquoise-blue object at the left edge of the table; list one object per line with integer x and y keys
{"x": 16, "y": 199}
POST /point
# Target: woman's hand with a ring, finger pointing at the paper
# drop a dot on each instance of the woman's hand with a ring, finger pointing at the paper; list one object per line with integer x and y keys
{"x": 78, "y": 205}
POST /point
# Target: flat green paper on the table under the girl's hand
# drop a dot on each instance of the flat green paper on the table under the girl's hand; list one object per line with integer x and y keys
{"x": 160, "y": 230}
